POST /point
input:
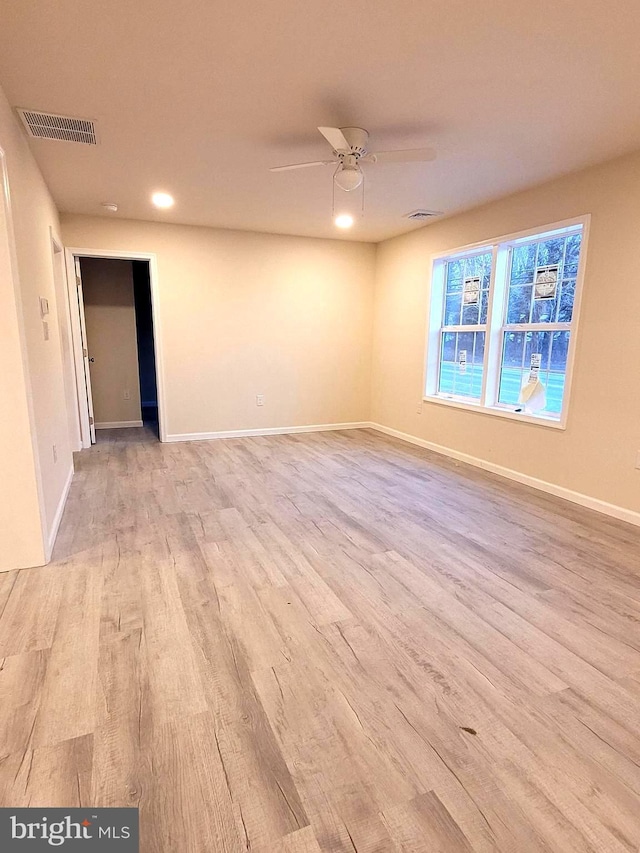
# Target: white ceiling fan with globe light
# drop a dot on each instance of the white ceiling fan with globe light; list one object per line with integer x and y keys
{"x": 349, "y": 145}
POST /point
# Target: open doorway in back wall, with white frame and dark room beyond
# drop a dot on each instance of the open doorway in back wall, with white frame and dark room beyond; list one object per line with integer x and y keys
{"x": 116, "y": 342}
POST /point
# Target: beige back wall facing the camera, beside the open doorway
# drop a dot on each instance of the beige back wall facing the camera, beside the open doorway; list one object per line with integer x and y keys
{"x": 243, "y": 314}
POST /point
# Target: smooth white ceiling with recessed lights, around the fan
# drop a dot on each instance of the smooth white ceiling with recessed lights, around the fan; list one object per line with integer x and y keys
{"x": 200, "y": 97}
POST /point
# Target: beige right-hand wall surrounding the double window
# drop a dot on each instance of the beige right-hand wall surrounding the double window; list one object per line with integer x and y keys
{"x": 596, "y": 454}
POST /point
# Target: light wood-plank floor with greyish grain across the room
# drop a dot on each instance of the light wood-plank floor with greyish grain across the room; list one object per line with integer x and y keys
{"x": 326, "y": 642}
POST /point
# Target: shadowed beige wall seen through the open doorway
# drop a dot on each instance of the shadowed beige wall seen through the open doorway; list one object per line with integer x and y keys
{"x": 110, "y": 317}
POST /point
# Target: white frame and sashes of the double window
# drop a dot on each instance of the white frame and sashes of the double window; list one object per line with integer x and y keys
{"x": 496, "y": 324}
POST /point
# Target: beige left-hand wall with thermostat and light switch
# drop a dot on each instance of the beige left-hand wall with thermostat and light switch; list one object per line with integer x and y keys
{"x": 32, "y": 482}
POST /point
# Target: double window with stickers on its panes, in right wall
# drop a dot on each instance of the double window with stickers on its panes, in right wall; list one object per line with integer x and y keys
{"x": 502, "y": 324}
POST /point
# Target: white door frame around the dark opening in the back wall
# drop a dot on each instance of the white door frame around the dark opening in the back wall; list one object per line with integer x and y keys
{"x": 71, "y": 253}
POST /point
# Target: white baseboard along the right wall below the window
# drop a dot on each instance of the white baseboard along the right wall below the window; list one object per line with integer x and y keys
{"x": 613, "y": 510}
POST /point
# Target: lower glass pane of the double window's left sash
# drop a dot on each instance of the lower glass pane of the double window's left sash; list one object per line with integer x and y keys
{"x": 461, "y": 364}
